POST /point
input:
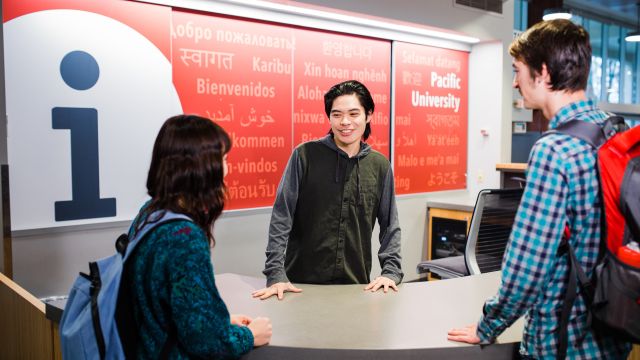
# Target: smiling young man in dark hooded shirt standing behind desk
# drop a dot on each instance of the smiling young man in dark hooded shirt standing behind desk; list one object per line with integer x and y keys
{"x": 328, "y": 200}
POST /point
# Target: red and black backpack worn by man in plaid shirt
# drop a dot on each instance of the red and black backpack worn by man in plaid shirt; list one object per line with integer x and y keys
{"x": 612, "y": 294}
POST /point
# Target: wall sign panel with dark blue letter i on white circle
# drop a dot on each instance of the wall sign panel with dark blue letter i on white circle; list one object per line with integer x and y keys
{"x": 88, "y": 84}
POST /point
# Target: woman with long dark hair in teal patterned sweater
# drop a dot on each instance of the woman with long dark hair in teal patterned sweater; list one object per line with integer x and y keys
{"x": 174, "y": 297}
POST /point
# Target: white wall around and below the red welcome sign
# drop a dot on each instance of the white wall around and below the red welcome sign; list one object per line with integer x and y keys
{"x": 46, "y": 262}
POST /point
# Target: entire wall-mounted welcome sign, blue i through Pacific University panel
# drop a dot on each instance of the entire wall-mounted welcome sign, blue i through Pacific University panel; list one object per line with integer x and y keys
{"x": 89, "y": 83}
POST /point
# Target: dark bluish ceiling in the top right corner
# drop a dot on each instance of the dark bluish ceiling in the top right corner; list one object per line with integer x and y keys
{"x": 621, "y": 10}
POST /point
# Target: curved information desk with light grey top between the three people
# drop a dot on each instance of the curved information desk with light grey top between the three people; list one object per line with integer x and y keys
{"x": 345, "y": 322}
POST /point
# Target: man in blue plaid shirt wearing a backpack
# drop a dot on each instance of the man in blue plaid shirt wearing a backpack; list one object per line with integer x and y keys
{"x": 551, "y": 63}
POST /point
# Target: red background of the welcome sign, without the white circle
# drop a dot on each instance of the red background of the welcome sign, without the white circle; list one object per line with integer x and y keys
{"x": 265, "y": 84}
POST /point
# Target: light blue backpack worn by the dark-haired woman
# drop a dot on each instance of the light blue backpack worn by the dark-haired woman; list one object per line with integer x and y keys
{"x": 97, "y": 322}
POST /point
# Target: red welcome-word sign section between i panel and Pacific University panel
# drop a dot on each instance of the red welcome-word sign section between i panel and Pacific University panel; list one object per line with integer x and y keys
{"x": 265, "y": 85}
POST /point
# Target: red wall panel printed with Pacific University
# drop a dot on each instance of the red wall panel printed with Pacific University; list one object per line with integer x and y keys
{"x": 431, "y": 112}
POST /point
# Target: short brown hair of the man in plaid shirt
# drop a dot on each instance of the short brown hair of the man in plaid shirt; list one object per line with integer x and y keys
{"x": 562, "y": 46}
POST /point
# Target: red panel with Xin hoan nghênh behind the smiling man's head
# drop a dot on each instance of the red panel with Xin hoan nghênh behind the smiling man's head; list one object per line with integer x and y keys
{"x": 324, "y": 59}
